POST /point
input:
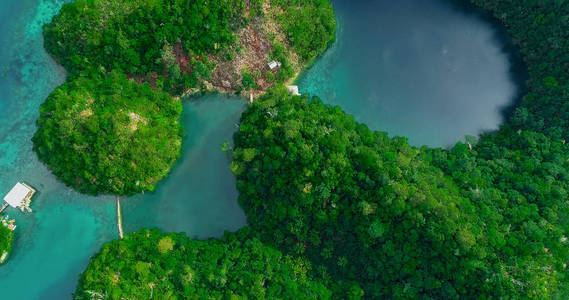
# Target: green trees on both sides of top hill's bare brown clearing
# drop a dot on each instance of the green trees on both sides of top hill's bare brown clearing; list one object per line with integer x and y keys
{"x": 167, "y": 42}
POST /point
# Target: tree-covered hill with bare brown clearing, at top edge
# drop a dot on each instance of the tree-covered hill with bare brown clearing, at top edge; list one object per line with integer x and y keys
{"x": 182, "y": 50}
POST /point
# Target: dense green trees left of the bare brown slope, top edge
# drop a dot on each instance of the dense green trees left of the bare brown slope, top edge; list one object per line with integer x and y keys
{"x": 135, "y": 36}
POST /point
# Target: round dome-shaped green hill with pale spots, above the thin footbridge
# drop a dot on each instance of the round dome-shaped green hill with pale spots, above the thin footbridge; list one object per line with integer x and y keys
{"x": 109, "y": 134}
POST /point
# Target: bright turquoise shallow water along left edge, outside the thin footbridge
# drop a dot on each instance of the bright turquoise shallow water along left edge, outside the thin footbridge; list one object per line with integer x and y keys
{"x": 52, "y": 244}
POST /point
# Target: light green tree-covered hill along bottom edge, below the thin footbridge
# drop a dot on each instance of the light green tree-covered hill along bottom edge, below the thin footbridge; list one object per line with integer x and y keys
{"x": 151, "y": 264}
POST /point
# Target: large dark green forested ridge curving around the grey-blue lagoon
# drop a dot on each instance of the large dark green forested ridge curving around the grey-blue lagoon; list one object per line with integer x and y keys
{"x": 384, "y": 219}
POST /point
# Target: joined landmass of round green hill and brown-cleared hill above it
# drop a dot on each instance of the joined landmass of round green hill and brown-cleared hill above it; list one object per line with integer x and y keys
{"x": 150, "y": 49}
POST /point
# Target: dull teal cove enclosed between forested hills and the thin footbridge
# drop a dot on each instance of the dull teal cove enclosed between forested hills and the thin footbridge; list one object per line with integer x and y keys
{"x": 199, "y": 196}
